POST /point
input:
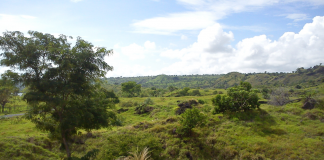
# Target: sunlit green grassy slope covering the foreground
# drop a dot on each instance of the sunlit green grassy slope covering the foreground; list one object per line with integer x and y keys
{"x": 287, "y": 132}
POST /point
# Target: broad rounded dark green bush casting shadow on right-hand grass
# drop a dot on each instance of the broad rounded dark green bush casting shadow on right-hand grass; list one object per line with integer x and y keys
{"x": 239, "y": 98}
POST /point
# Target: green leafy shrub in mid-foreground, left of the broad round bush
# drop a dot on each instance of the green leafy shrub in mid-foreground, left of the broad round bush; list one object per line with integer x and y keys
{"x": 189, "y": 119}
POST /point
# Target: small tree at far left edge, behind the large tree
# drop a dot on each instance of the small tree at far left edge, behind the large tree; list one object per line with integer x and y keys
{"x": 7, "y": 88}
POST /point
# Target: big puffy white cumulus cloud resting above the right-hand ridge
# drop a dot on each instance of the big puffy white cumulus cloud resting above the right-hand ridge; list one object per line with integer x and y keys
{"x": 211, "y": 53}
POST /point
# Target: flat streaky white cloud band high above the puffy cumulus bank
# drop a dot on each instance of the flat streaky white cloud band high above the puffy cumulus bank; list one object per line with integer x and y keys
{"x": 204, "y": 13}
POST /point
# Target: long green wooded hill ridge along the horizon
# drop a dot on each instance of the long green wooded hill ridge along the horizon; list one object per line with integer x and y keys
{"x": 307, "y": 77}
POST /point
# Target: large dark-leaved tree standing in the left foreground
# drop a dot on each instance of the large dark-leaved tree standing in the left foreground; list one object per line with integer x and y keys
{"x": 61, "y": 80}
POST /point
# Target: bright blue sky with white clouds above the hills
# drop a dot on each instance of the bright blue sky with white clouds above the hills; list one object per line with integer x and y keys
{"x": 182, "y": 37}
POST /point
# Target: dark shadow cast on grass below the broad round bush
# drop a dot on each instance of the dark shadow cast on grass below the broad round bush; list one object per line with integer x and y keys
{"x": 260, "y": 121}
